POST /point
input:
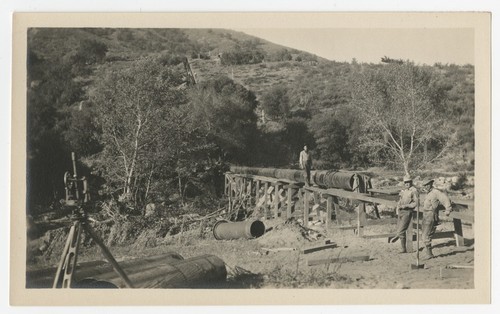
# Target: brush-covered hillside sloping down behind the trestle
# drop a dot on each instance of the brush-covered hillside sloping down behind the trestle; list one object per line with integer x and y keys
{"x": 306, "y": 99}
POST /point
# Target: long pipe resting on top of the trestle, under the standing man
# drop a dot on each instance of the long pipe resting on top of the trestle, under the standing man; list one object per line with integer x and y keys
{"x": 327, "y": 178}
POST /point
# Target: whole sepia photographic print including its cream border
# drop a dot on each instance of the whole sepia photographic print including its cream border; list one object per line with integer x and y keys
{"x": 225, "y": 154}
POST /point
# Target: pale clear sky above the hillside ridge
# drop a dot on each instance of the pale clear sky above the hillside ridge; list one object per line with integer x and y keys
{"x": 423, "y": 45}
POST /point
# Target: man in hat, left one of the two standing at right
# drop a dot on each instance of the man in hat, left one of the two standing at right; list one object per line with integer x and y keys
{"x": 408, "y": 201}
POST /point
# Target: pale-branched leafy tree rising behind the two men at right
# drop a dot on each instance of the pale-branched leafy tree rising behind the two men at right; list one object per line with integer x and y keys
{"x": 398, "y": 115}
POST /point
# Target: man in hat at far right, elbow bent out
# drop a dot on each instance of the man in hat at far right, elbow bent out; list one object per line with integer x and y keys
{"x": 434, "y": 200}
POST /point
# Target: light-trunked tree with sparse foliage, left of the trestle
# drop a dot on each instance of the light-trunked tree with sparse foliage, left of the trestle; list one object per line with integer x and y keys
{"x": 133, "y": 110}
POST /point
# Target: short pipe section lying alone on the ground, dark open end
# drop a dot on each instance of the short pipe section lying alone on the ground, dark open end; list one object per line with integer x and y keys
{"x": 224, "y": 230}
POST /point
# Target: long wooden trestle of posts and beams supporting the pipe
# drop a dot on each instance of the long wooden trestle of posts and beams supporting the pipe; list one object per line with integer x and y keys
{"x": 282, "y": 198}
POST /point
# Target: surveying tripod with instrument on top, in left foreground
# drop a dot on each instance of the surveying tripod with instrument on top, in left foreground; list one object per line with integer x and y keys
{"x": 77, "y": 198}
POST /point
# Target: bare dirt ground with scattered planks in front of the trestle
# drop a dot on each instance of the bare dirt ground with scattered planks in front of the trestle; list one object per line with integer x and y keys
{"x": 256, "y": 263}
